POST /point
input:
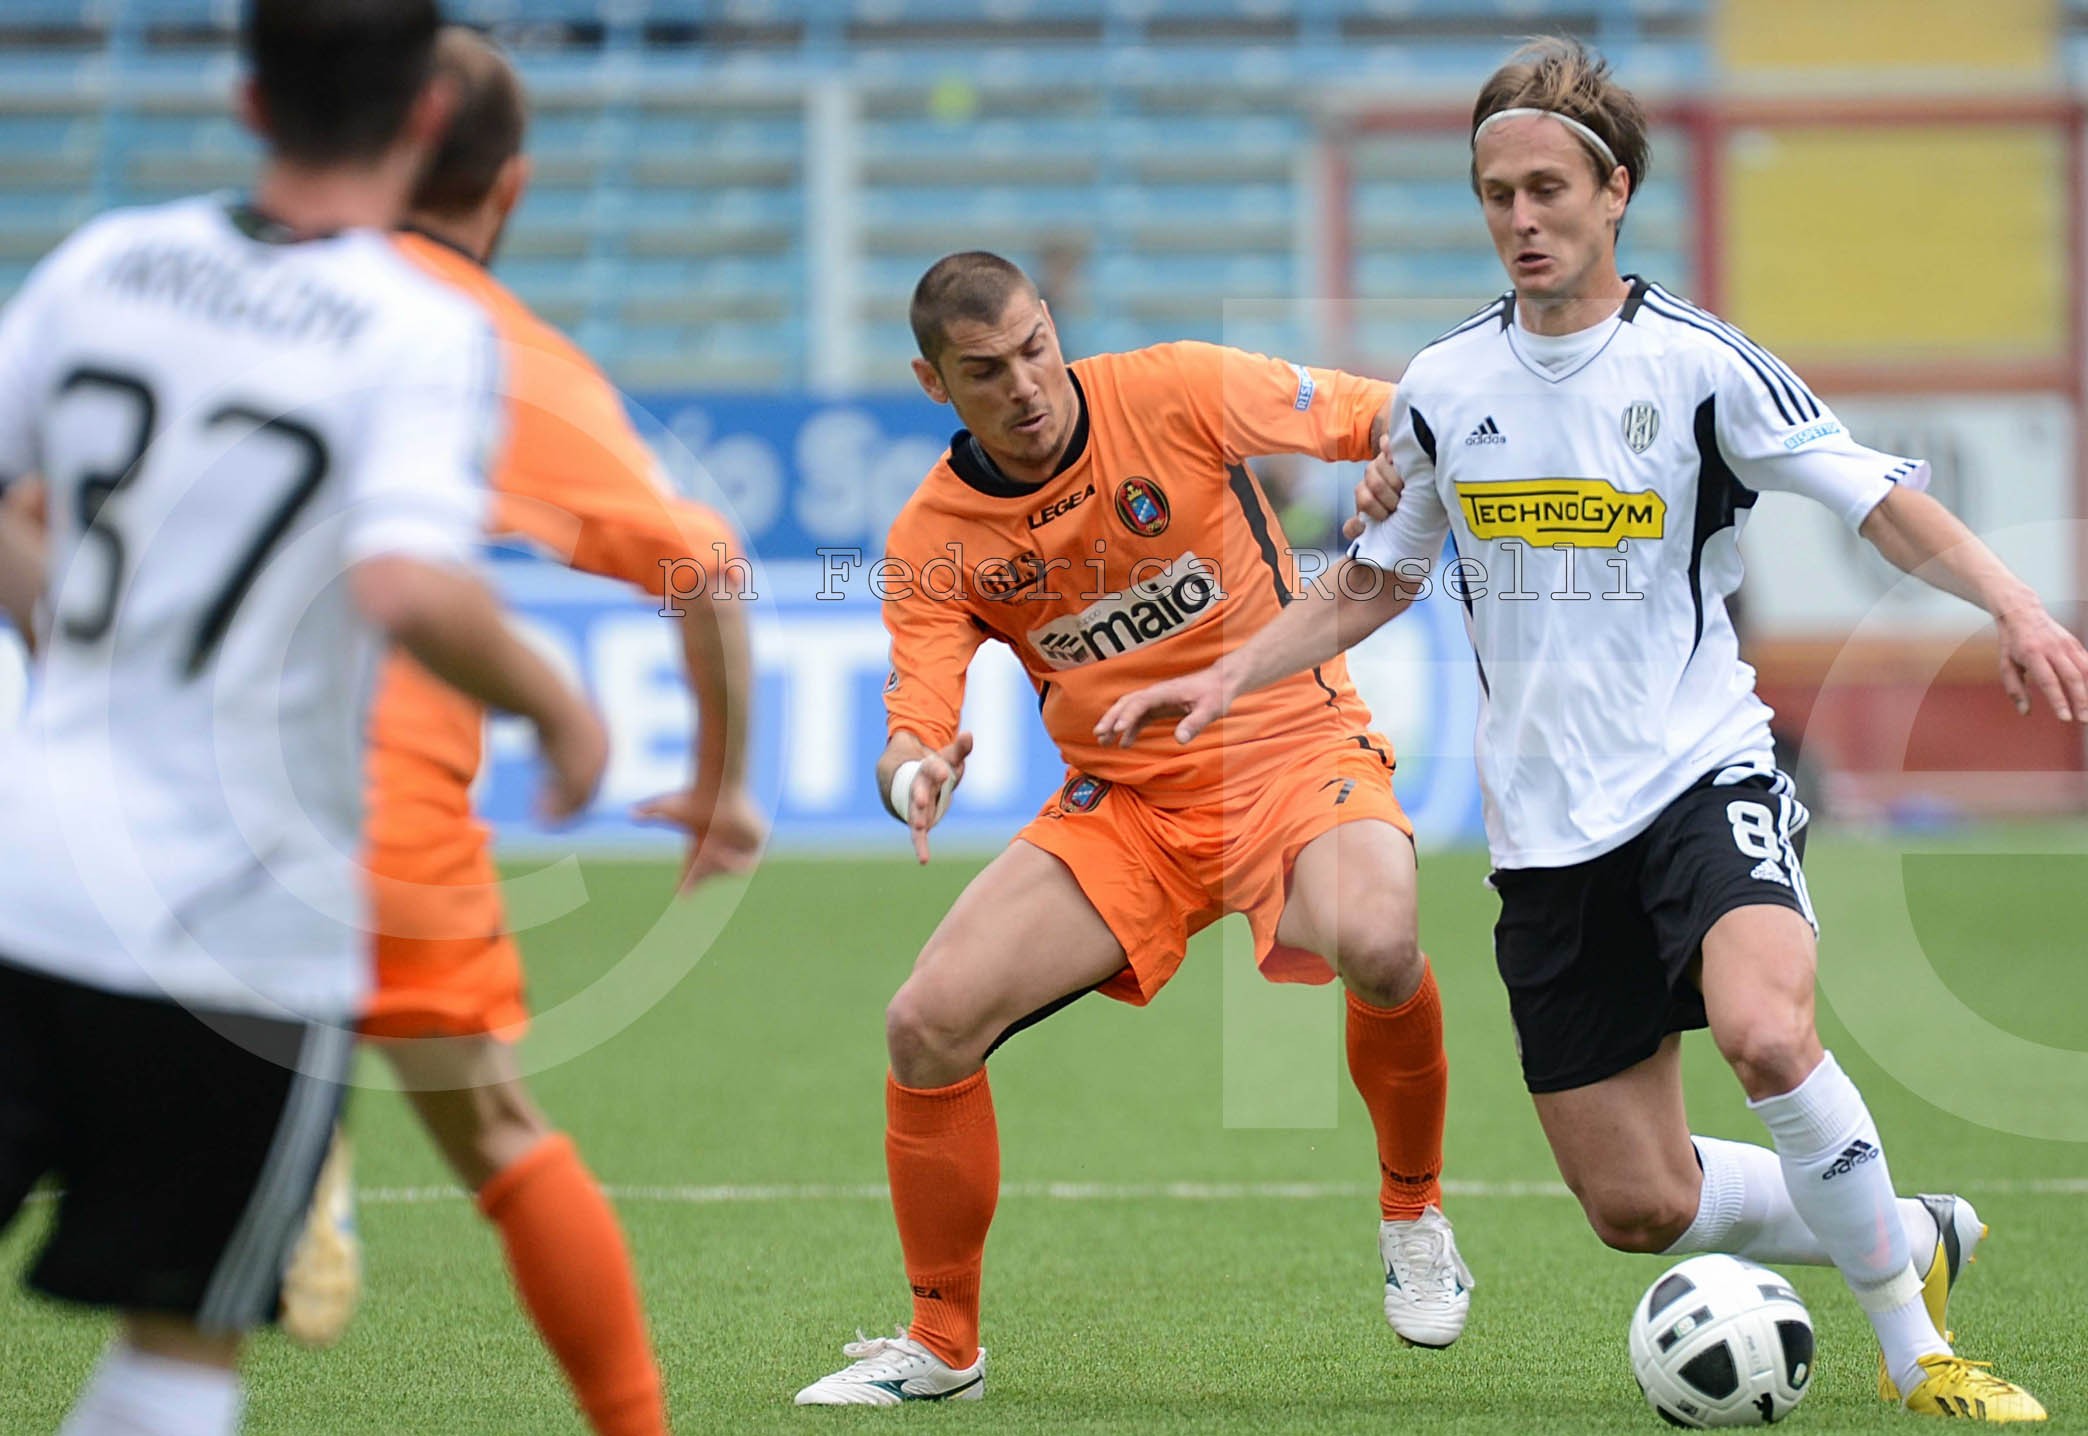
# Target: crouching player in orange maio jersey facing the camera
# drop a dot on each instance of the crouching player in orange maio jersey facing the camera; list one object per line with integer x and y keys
{"x": 1101, "y": 521}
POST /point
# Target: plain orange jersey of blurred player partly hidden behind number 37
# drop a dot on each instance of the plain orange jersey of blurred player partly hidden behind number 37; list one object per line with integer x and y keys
{"x": 575, "y": 479}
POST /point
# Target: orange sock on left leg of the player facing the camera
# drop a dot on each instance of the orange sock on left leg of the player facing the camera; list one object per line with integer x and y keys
{"x": 943, "y": 1153}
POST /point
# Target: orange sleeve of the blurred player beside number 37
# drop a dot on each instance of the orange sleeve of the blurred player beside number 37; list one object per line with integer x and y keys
{"x": 577, "y": 479}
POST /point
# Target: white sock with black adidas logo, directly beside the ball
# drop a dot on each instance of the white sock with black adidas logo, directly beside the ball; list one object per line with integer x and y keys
{"x": 1834, "y": 1170}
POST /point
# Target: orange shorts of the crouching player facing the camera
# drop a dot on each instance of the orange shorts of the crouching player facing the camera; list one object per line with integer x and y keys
{"x": 1162, "y": 876}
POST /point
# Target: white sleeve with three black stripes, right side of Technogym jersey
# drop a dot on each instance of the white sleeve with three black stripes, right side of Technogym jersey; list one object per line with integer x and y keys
{"x": 1774, "y": 433}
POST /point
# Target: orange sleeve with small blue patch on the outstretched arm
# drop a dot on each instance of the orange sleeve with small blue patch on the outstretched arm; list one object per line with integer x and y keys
{"x": 1256, "y": 406}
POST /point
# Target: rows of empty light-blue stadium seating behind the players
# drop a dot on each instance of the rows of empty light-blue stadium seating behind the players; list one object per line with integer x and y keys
{"x": 1149, "y": 160}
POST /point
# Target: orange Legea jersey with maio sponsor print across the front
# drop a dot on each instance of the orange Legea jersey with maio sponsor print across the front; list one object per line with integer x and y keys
{"x": 1147, "y": 556}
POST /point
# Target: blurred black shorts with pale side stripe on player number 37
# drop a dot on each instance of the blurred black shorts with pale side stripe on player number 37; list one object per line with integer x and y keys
{"x": 185, "y": 1149}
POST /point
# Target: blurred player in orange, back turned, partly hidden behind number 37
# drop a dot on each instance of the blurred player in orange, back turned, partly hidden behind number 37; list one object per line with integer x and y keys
{"x": 577, "y": 481}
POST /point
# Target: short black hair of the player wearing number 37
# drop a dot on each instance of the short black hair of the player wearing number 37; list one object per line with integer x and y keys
{"x": 337, "y": 78}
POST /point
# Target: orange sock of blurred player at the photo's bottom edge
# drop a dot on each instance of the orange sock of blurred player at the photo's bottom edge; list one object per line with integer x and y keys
{"x": 569, "y": 1262}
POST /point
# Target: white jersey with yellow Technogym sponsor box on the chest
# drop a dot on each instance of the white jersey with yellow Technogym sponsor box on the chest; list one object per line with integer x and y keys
{"x": 1594, "y": 494}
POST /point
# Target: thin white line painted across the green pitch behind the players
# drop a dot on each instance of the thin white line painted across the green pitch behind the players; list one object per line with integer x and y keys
{"x": 1116, "y": 1193}
